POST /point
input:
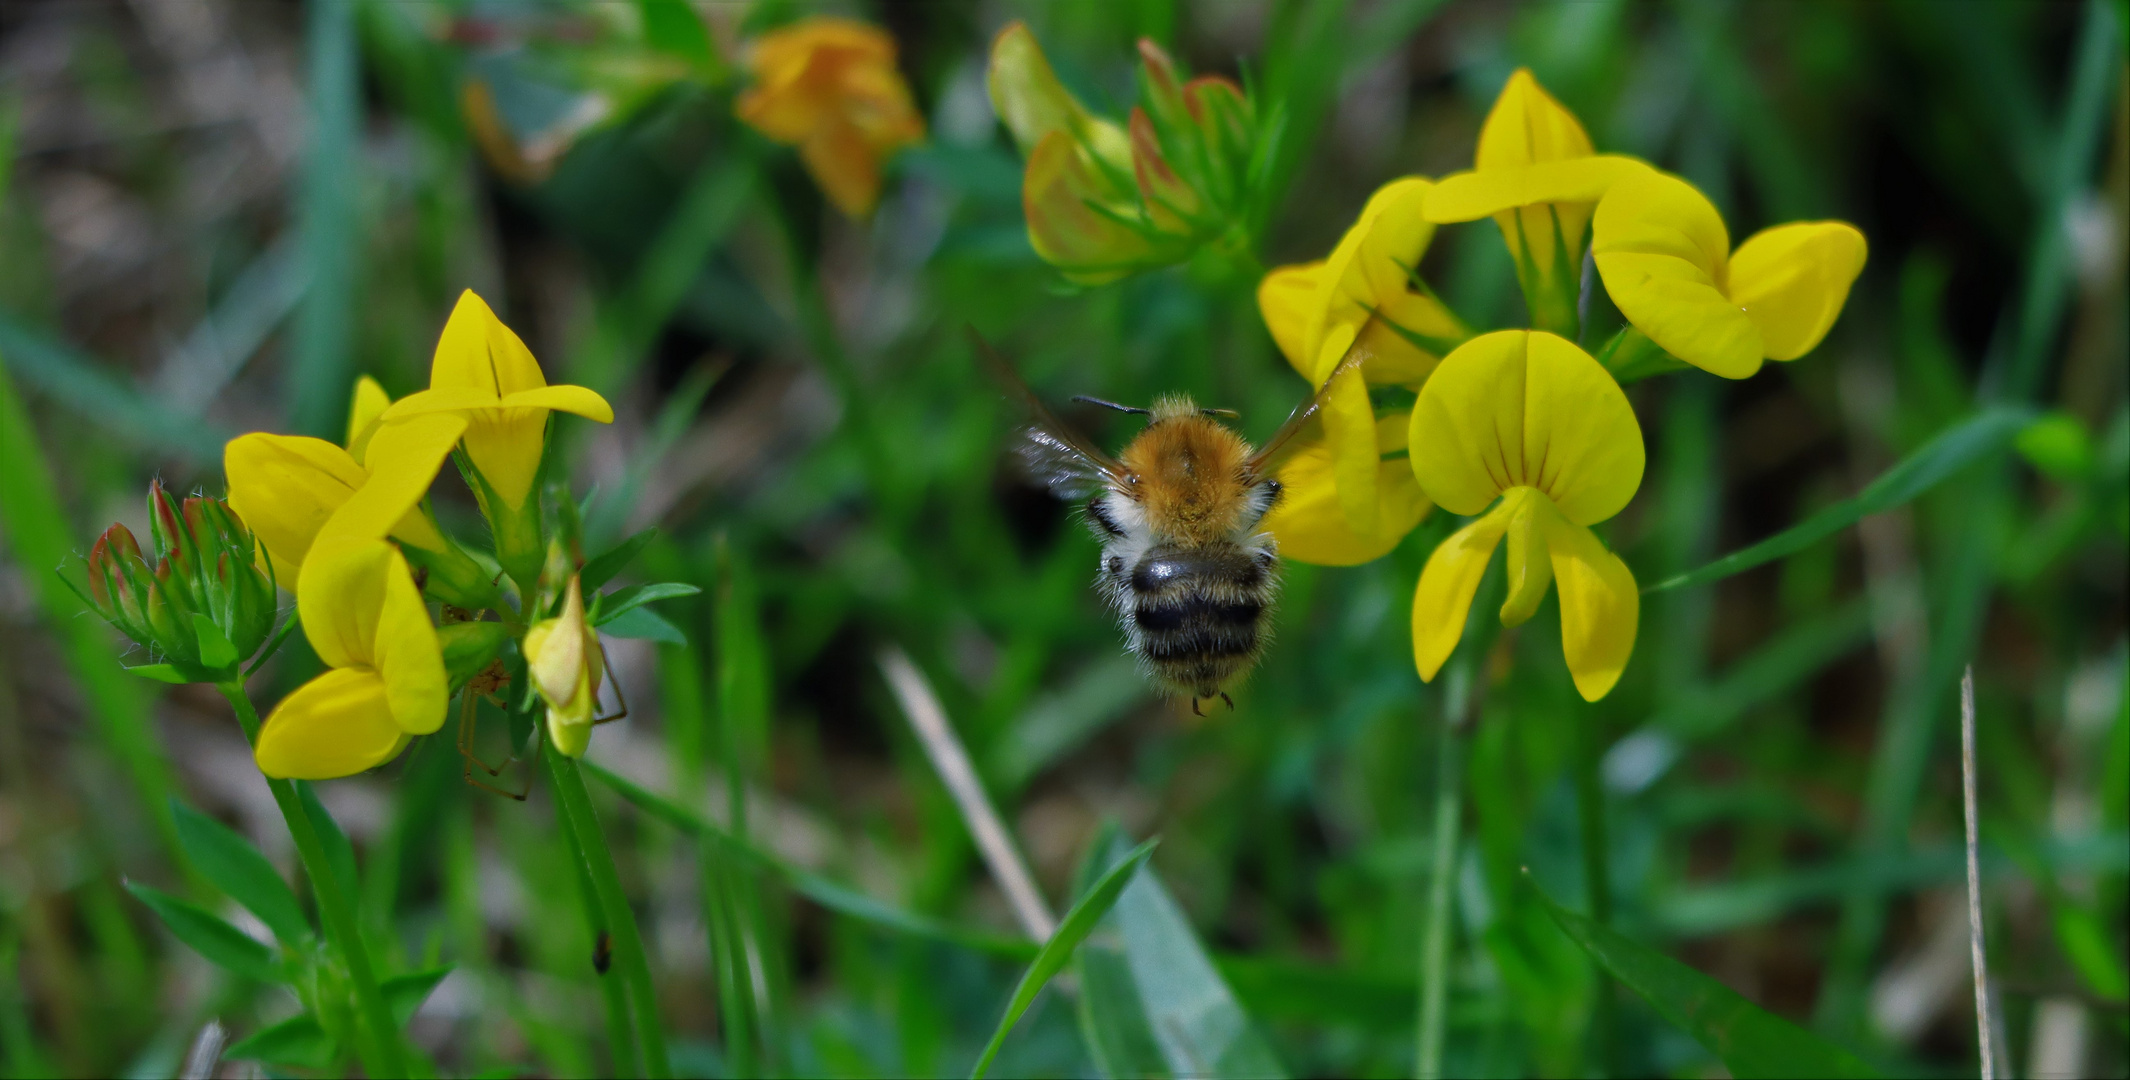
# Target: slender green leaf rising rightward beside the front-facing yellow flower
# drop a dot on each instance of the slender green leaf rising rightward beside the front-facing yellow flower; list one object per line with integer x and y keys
{"x": 1937, "y": 461}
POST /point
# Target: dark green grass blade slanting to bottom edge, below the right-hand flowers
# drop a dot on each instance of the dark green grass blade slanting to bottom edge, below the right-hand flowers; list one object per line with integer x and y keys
{"x": 1748, "y": 1038}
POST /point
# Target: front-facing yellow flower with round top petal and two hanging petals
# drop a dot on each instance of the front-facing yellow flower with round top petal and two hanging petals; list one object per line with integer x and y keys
{"x": 1533, "y": 421}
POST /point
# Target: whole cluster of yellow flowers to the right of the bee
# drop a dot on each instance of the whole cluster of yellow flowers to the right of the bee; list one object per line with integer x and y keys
{"x": 1524, "y": 429}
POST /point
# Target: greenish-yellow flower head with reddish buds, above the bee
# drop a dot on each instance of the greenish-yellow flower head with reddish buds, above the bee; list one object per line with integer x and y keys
{"x": 1111, "y": 199}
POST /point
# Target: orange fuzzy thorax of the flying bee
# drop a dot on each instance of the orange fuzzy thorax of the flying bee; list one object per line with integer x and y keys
{"x": 1190, "y": 474}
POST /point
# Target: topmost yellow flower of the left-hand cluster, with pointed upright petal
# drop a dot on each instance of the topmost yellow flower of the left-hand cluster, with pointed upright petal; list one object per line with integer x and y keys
{"x": 487, "y": 374}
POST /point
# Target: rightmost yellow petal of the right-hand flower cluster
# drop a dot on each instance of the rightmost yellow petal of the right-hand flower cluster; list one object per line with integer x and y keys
{"x": 1792, "y": 282}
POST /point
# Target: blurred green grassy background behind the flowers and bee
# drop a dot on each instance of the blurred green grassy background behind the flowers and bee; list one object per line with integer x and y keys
{"x": 218, "y": 214}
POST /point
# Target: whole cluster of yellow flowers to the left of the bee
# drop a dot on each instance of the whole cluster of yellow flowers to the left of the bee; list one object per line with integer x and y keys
{"x": 346, "y": 527}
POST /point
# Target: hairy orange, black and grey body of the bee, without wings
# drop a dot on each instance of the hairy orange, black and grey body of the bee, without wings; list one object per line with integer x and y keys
{"x": 1183, "y": 561}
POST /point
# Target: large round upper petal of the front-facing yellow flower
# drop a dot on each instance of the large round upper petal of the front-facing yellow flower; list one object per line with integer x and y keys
{"x": 1526, "y": 408}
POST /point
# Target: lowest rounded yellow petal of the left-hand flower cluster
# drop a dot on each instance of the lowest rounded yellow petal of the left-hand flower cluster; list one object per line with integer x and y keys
{"x": 333, "y": 725}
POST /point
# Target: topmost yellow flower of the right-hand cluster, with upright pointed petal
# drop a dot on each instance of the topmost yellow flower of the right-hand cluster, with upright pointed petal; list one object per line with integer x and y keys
{"x": 1539, "y": 178}
